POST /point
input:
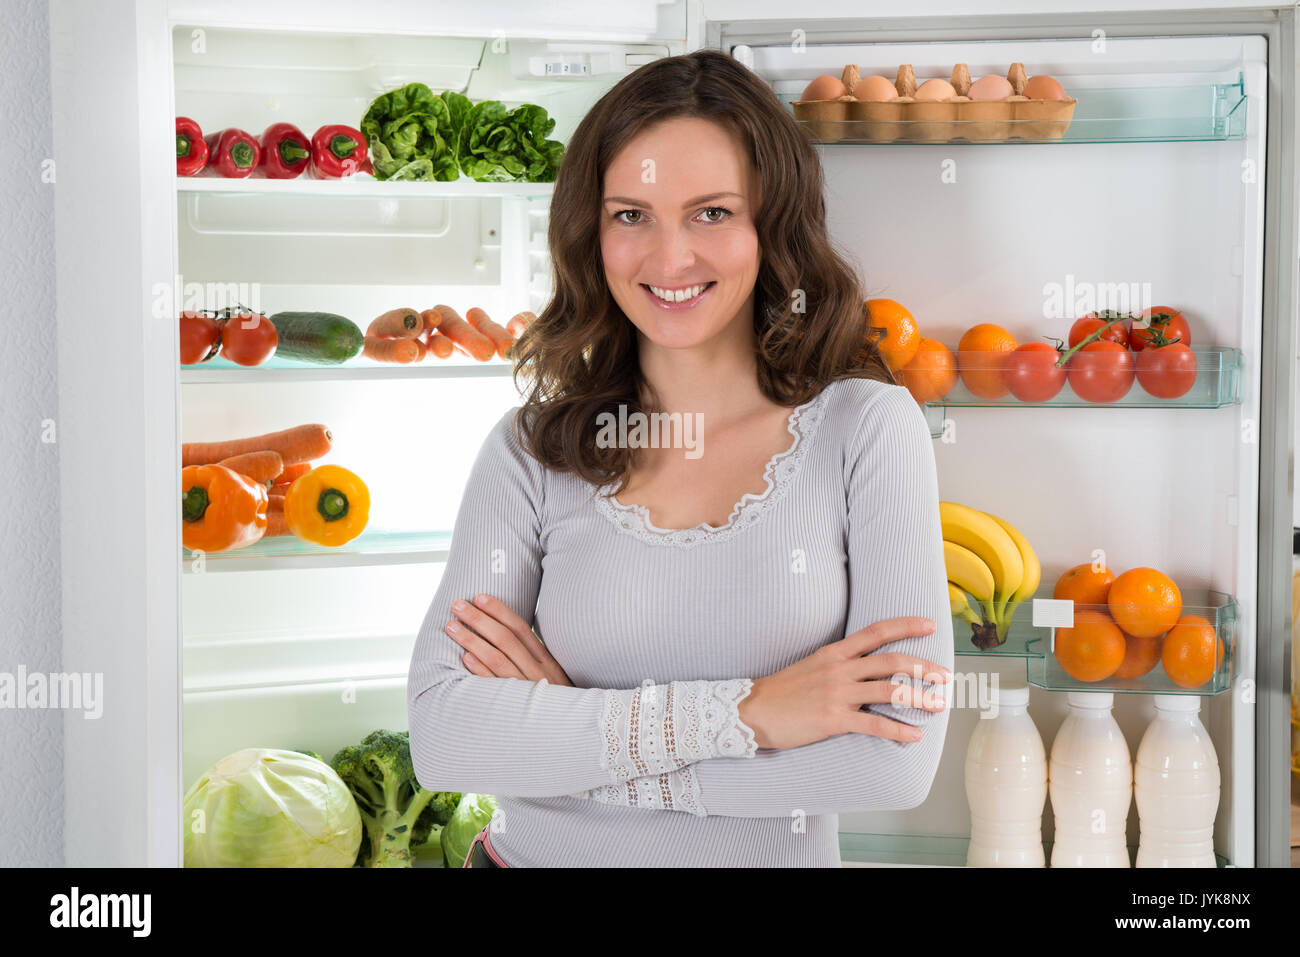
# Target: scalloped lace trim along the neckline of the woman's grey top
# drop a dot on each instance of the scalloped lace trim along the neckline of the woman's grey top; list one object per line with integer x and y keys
{"x": 782, "y": 469}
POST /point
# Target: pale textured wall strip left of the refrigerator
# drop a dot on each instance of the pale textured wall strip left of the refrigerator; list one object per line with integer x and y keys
{"x": 32, "y": 793}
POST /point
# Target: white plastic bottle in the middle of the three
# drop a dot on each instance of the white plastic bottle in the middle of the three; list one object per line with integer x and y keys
{"x": 1090, "y": 780}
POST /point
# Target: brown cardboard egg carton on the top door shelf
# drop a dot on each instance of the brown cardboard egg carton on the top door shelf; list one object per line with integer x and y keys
{"x": 957, "y": 118}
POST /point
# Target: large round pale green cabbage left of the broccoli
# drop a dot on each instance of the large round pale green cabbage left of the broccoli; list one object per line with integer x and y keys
{"x": 271, "y": 808}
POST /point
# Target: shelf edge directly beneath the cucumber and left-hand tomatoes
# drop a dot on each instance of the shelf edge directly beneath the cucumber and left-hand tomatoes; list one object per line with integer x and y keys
{"x": 275, "y": 370}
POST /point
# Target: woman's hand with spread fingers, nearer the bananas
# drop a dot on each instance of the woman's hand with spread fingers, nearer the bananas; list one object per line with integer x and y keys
{"x": 822, "y": 695}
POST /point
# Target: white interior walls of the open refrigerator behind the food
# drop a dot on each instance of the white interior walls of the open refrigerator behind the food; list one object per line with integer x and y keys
{"x": 311, "y": 652}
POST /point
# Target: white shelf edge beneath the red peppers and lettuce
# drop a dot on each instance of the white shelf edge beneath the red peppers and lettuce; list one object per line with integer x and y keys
{"x": 365, "y": 185}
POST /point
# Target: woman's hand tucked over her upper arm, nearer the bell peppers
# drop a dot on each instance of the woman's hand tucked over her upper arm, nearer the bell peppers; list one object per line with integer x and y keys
{"x": 500, "y": 644}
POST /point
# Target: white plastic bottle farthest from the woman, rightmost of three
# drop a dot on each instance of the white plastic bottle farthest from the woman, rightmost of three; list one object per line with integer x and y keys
{"x": 1177, "y": 787}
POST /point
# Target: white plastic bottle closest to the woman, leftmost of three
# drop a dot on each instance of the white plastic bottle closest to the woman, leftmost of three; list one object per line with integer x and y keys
{"x": 1007, "y": 786}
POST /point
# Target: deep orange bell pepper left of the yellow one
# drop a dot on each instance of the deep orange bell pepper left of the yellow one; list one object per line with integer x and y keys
{"x": 220, "y": 509}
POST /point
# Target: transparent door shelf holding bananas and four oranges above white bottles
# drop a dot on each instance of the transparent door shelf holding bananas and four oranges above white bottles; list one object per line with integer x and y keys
{"x": 1034, "y": 644}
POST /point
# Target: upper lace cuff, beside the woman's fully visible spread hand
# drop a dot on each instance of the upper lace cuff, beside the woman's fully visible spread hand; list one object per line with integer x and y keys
{"x": 658, "y": 729}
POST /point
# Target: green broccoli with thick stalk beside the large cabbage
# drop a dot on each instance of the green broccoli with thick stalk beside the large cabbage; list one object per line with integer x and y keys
{"x": 398, "y": 816}
